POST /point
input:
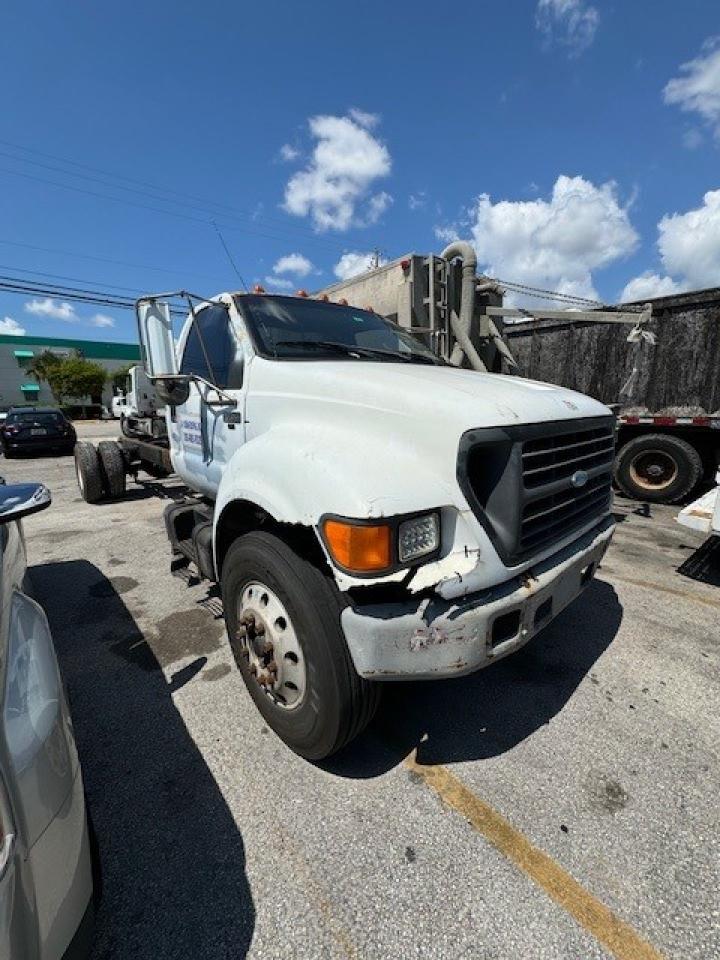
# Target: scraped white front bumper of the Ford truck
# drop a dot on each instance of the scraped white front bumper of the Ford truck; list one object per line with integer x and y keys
{"x": 428, "y": 637}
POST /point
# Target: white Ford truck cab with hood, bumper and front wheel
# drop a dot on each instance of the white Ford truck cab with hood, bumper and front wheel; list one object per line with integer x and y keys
{"x": 371, "y": 512}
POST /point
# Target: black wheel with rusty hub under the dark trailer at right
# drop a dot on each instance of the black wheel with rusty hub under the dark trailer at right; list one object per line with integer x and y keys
{"x": 658, "y": 468}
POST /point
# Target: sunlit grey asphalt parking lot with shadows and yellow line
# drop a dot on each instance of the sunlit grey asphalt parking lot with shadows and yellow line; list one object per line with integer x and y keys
{"x": 562, "y": 803}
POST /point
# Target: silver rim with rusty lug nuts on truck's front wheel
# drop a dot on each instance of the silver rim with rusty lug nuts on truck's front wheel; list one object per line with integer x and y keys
{"x": 269, "y": 645}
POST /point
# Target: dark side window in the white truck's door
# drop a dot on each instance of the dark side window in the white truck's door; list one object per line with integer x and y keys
{"x": 220, "y": 345}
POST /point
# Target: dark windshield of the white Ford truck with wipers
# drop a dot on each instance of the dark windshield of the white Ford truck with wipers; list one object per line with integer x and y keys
{"x": 295, "y": 328}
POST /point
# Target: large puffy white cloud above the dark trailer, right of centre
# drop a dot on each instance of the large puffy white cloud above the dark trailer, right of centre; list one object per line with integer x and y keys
{"x": 556, "y": 243}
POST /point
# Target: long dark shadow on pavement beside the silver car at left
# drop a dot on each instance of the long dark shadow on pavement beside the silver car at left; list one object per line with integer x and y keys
{"x": 173, "y": 860}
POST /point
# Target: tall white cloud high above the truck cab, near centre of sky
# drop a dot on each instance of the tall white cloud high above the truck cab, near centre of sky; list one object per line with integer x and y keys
{"x": 334, "y": 188}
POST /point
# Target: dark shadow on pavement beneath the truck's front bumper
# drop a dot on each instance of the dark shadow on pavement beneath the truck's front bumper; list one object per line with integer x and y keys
{"x": 489, "y": 712}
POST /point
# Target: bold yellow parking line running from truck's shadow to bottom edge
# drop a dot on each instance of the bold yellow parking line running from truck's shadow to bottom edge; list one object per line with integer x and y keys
{"x": 612, "y": 932}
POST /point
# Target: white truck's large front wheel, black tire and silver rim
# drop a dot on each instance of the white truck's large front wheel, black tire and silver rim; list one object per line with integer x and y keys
{"x": 283, "y": 621}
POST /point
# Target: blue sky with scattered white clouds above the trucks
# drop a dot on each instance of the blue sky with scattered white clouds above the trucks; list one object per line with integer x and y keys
{"x": 564, "y": 137}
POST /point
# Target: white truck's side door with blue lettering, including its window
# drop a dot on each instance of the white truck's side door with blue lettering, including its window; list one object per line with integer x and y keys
{"x": 205, "y": 430}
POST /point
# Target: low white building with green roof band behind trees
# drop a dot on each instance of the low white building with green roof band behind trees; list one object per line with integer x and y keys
{"x": 16, "y": 353}
